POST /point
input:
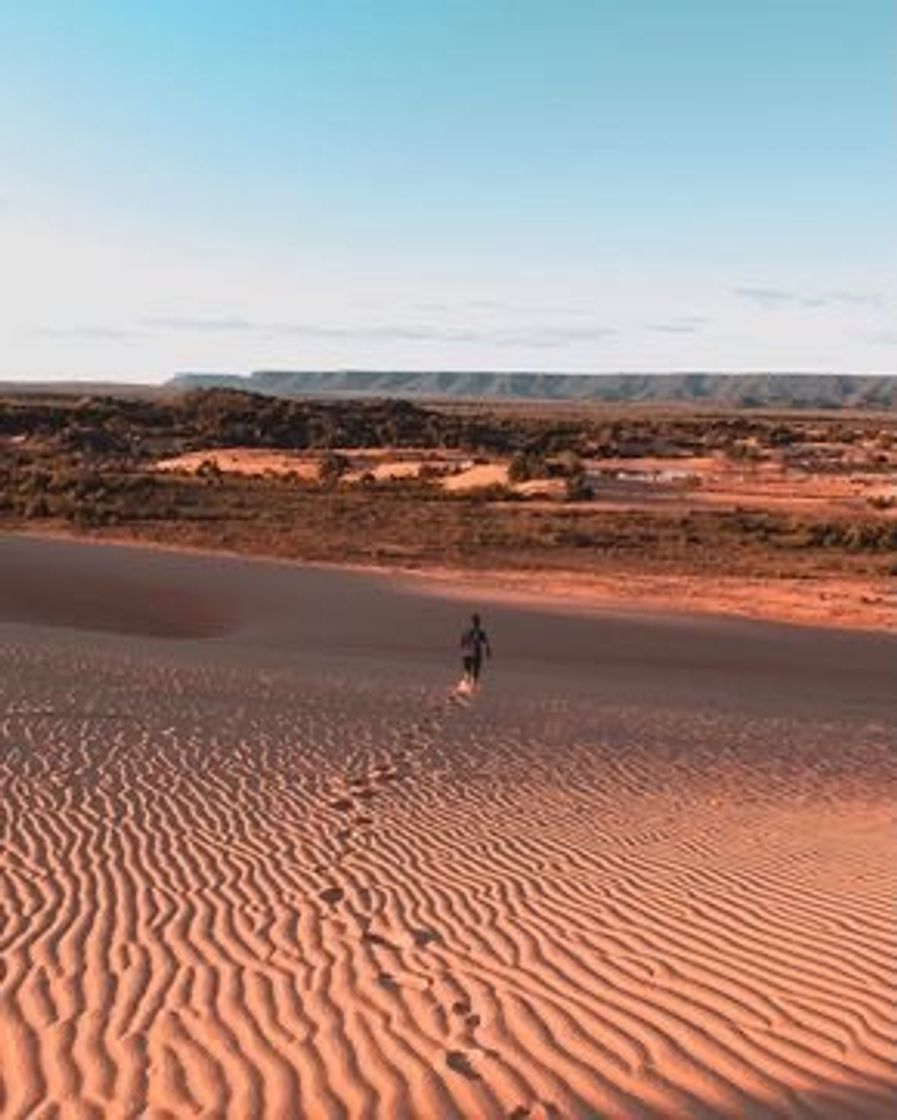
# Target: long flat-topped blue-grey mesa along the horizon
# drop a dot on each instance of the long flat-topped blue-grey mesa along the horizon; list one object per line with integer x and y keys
{"x": 744, "y": 390}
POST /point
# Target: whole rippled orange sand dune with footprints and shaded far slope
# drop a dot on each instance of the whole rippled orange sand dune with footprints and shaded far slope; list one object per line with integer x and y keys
{"x": 258, "y": 860}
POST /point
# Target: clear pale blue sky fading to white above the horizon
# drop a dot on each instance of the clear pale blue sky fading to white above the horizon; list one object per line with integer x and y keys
{"x": 562, "y": 185}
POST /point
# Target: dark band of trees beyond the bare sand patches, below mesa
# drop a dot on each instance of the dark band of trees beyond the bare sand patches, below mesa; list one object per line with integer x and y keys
{"x": 142, "y": 430}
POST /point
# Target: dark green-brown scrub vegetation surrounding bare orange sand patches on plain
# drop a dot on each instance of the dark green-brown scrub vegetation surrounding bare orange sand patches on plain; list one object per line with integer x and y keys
{"x": 88, "y": 465}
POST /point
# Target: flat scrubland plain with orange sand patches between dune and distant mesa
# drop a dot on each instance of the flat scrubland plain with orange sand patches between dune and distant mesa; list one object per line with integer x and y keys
{"x": 788, "y": 516}
